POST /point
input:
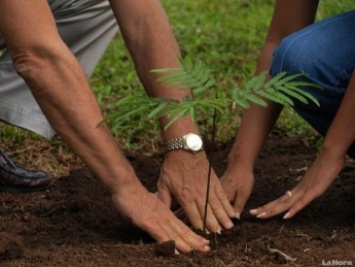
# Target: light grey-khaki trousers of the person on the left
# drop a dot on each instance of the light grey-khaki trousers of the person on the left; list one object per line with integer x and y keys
{"x": 87, "y": 27}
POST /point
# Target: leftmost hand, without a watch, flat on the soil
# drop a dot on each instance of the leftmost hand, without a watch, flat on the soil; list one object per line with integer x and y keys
{"x": 147, "y": 212}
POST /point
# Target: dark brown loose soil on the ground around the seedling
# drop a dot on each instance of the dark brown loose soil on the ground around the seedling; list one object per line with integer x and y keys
{"x": 74, "y": 223}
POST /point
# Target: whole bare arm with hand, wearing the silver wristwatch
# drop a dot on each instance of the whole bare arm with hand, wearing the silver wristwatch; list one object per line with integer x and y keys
{"x": 150, "y": 40}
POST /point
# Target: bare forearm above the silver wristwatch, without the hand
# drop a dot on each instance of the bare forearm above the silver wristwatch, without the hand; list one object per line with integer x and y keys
{"x": 152, "y": 45}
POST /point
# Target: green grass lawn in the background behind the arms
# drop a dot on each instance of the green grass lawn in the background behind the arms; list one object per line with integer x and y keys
{"x": 226, "y": 35}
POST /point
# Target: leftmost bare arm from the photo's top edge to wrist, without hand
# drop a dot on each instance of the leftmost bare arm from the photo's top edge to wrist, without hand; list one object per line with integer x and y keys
{"x": 60, "y": 87}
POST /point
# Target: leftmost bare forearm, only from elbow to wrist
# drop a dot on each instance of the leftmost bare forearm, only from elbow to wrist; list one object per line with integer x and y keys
{"x": 61, "y": 90}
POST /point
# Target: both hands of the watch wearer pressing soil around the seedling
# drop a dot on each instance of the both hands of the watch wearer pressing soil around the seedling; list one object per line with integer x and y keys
{"x": 183, "y": 175}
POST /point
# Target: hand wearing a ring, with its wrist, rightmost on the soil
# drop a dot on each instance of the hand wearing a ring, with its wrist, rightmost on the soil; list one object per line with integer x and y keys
{"x": 313, "y": 184}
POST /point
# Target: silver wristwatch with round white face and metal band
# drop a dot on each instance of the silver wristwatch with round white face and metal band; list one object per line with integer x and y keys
{"x": 190, "y": 142}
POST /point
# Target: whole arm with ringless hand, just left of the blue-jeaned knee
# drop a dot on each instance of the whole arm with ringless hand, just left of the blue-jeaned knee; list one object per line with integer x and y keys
{"x": 289, "y": 16}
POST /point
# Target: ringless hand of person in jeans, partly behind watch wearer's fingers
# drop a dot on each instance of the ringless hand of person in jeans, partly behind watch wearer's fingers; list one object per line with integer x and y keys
{"x": 238, "y": 185}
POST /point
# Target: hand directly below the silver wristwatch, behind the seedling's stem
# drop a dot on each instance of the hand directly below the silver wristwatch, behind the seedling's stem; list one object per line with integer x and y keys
{"x": 184, "y": 175}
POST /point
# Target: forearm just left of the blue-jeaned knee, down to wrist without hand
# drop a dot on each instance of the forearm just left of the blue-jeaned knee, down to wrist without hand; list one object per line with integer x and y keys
{"x": 289, "y": 16}
